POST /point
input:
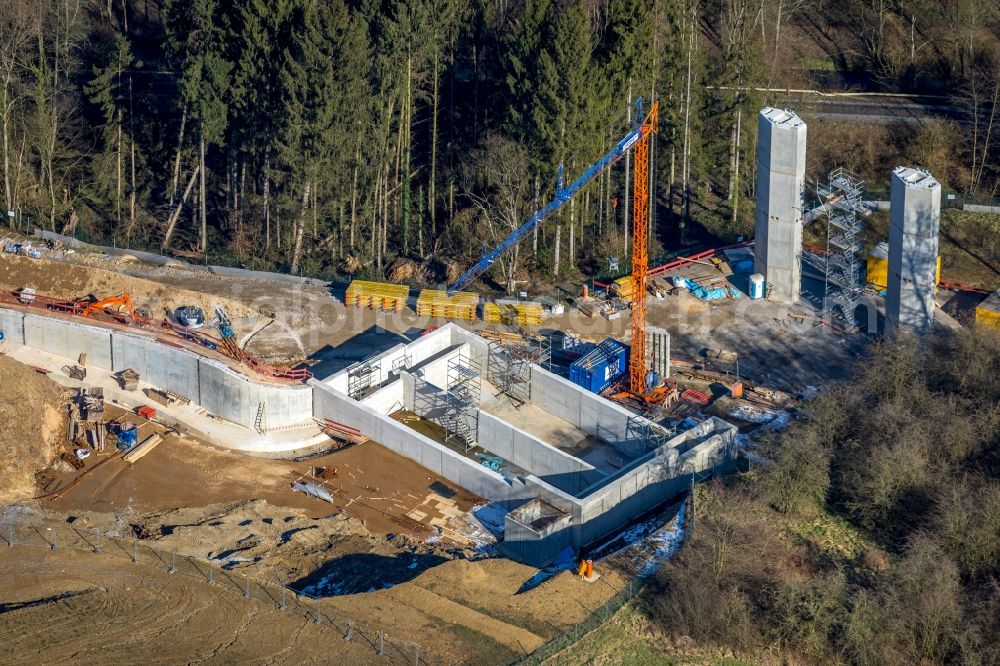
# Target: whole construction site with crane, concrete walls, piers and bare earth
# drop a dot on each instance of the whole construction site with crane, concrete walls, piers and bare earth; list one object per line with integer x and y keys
{"x": 364, "y": 440}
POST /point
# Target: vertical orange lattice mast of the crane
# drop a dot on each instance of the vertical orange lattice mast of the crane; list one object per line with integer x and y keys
{"x": 638, "y": 366}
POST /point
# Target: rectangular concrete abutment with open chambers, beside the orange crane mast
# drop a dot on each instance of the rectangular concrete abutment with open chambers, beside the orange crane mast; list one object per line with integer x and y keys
{"x": 614, "y": 469}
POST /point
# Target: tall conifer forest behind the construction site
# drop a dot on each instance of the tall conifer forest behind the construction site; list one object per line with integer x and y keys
{"x": 332, "y": 137}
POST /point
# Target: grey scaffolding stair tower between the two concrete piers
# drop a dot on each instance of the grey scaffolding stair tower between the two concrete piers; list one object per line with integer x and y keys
{"x": 844, "y": 284}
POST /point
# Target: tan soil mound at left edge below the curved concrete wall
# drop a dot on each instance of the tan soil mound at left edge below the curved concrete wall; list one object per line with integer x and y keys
{"x": 32, "y": 424}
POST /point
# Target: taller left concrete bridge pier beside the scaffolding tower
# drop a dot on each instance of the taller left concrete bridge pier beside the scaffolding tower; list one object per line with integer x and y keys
{"x": 781, "y": 171}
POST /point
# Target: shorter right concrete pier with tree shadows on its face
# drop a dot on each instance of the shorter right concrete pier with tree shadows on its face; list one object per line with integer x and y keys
{"x": 914, "y": 223}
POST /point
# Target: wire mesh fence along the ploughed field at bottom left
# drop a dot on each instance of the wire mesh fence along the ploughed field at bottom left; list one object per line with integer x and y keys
{"x": 385, "y": 644}
